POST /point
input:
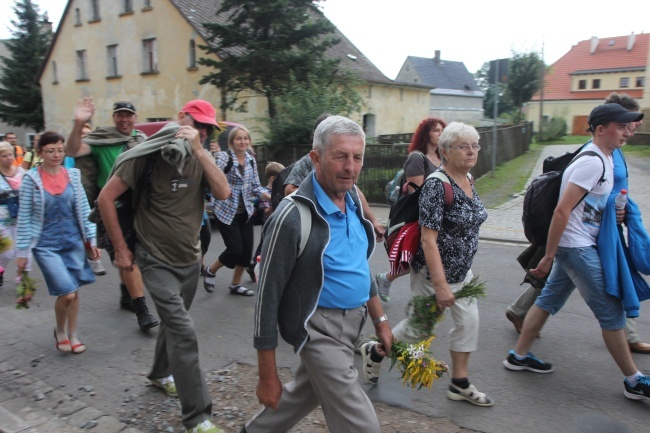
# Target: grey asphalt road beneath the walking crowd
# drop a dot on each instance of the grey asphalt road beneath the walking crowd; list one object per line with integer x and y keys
{"x": 585, "y": 393}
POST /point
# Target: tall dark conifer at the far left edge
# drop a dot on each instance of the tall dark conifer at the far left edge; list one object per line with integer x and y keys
{"x": 20, "y": 94}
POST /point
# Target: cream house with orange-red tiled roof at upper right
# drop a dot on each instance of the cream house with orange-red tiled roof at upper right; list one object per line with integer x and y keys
{"x": 588, "y": 73}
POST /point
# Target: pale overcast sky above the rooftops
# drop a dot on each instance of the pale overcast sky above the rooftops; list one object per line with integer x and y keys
{"x": 470, "y": 31}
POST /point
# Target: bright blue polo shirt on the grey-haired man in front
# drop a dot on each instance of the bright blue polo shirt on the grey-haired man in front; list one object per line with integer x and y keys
{"x": 346, "y": 282}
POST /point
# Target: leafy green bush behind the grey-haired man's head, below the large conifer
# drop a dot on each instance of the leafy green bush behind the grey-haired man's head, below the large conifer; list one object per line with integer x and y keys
{"x": 301, "y": 105}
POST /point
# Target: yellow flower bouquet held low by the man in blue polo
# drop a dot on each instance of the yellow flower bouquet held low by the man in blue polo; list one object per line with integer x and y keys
{"x": 418, "y": 368}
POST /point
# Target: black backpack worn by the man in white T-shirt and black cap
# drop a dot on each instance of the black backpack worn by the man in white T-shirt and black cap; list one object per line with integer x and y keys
{"x": 543, "y": 193}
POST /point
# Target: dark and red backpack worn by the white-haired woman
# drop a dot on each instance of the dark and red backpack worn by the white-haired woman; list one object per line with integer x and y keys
{"x": 406, "y": 208}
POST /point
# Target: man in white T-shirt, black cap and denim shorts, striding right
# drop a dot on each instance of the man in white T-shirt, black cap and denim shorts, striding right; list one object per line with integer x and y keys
{"x": 571, "y": 248}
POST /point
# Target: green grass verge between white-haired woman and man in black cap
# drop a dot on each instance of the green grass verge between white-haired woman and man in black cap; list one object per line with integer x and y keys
{"x": 509, "y": 178}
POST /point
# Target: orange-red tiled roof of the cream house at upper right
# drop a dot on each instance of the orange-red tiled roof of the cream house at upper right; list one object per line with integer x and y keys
{"x": 611, "y": 53}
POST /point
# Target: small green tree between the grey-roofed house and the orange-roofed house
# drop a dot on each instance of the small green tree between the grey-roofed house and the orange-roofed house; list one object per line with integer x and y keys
{"x": 524, "y": 79}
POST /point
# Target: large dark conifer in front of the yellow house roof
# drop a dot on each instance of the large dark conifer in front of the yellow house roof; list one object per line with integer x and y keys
{"x": 260, "y": 44}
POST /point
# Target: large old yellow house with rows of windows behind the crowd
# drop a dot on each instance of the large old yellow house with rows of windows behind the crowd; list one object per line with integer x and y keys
{"x": 146, "y": 52}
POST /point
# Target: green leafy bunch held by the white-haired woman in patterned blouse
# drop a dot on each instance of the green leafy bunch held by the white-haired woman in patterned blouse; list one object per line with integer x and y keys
{"x": 426, "y": 314}
